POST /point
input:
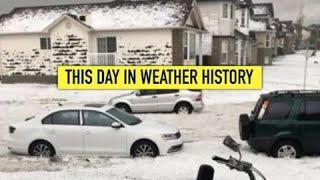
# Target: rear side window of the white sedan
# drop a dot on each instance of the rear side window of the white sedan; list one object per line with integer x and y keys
{"x": 66, "y": 118}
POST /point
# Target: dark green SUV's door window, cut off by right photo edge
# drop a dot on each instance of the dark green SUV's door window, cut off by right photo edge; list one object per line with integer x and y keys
{"x": 310, "y": 110}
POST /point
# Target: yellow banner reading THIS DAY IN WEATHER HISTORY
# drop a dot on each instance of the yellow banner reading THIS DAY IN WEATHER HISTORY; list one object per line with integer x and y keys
{"x": 160, "y": 77}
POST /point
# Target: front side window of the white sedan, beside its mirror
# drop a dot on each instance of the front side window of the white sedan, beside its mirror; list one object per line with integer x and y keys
{"x": 94, "y": 118}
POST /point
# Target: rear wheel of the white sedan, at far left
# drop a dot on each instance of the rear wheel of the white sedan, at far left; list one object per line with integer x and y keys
{"x": 41, "y": 149}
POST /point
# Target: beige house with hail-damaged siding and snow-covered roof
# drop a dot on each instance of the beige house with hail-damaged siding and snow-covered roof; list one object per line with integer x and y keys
{"x": 35, "y": 40}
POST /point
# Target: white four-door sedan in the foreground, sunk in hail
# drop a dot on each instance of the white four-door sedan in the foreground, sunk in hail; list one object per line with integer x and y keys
{"x": 90, "y": 130}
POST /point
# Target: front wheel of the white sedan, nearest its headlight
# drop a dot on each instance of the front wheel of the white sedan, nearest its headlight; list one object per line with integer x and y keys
{"x": 145, "y": 149}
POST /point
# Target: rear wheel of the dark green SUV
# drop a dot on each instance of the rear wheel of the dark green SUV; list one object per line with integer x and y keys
{"x": 287, "y": 149}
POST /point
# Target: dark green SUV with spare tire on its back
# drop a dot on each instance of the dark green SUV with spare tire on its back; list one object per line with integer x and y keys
{"x": 285, "y": 124}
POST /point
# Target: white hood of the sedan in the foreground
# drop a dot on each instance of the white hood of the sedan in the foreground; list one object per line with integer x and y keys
{"x": 156, "y": 127}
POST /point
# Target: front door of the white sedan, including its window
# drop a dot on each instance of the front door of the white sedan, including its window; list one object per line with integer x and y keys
{"x": 99, "y": 137}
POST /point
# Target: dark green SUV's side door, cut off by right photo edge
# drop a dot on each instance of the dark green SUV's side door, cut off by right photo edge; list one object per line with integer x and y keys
{"x": 308, "y": 121}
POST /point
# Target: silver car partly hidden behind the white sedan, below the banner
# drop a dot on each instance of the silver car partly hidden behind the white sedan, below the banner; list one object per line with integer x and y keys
{"x": 147, "y": 101}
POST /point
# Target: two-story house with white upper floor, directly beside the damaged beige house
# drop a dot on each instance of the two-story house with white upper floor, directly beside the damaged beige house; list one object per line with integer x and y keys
{"x": 219, "y": 20}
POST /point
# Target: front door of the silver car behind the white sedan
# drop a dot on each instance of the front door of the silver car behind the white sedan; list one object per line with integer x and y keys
{"x": 145, "y": 101}
